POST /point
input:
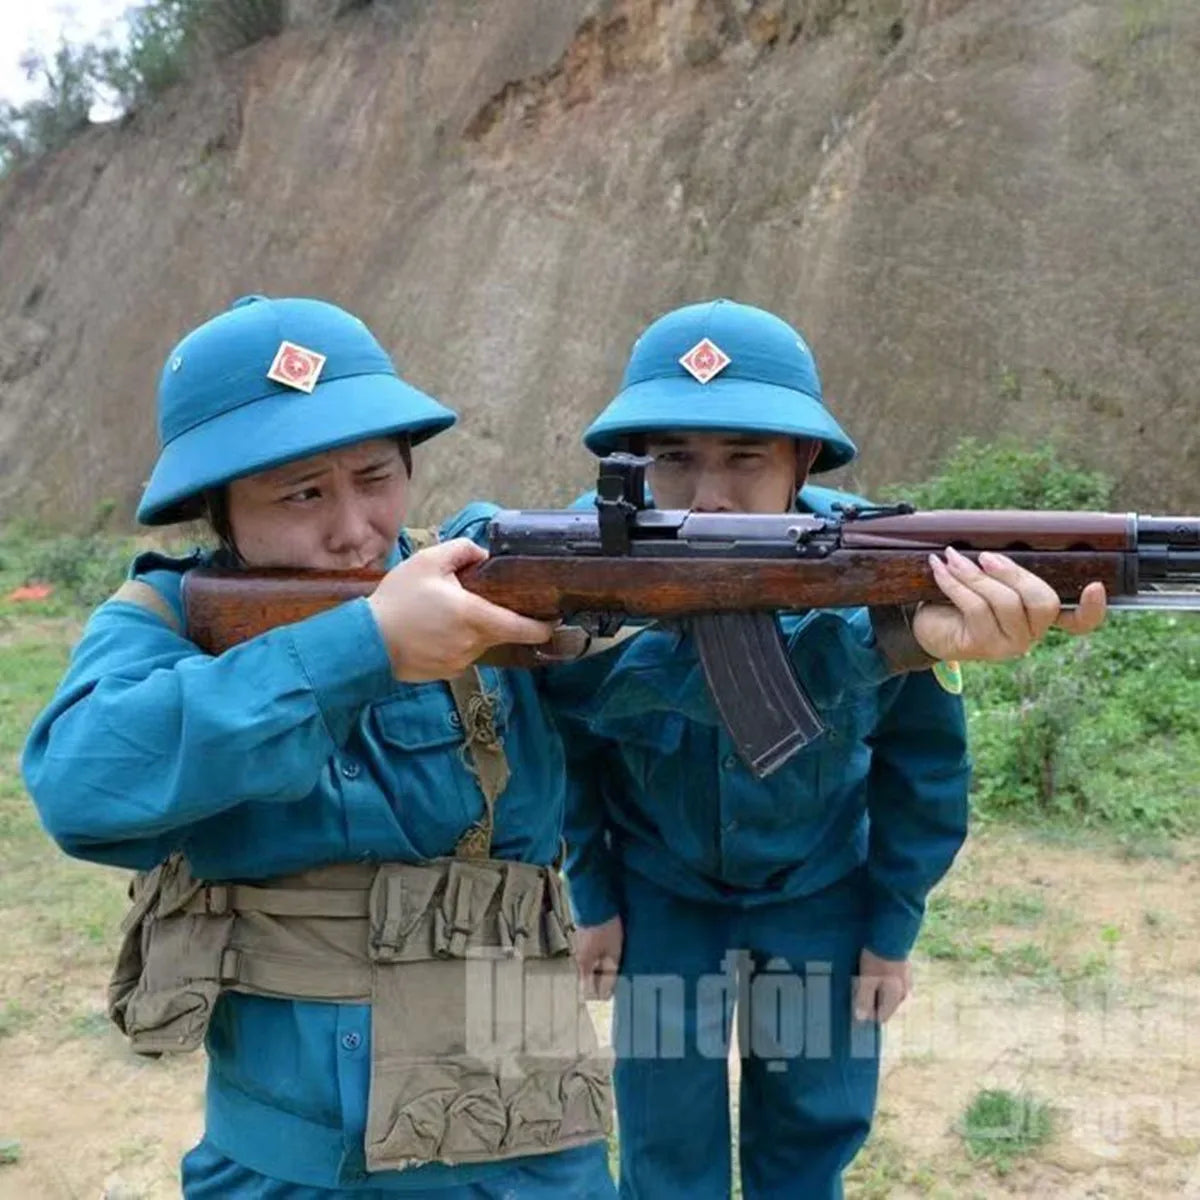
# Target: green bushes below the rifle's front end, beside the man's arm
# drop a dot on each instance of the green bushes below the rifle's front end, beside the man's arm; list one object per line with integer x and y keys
{"x": 1103, "y": 731}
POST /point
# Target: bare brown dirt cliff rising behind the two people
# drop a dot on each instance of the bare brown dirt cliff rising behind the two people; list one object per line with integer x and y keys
{"x": 982, "y": 214}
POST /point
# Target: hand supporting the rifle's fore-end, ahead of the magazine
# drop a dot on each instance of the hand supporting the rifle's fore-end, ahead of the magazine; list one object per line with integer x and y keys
{"x": 998, "y": 610}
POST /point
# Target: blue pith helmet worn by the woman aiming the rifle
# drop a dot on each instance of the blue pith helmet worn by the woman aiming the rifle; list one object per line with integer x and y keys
{"x": 224, "y": 412}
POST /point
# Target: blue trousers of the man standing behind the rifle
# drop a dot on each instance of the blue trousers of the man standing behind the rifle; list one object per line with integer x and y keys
{"x": 809, "y": 1073}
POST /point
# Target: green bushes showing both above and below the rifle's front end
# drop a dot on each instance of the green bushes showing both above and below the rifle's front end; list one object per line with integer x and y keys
{"x": 1084, "y": 733}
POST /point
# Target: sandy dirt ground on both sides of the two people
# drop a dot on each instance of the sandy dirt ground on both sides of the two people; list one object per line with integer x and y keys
{"x": 1072, "y": 973}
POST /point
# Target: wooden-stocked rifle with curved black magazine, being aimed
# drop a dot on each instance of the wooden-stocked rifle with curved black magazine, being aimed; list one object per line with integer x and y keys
{"x": 727, "y": 575}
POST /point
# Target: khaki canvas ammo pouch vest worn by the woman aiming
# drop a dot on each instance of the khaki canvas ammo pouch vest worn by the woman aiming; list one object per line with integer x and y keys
{"x": 482, "y": 1046}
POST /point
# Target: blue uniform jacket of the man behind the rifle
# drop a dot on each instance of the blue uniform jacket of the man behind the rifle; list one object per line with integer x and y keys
{"x": 668, "y": 796}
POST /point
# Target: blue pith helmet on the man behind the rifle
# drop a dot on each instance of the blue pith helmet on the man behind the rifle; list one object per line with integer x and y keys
{"x": 770, "y": 385}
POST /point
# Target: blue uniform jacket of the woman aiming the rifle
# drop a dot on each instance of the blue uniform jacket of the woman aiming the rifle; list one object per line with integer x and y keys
{"x": 293, "y": 751}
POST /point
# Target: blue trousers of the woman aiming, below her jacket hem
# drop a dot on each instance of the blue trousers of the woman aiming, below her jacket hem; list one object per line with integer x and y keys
{"x": 581, "y": 1174}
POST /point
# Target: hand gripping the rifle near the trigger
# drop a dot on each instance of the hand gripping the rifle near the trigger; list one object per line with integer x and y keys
{"x": 434, "y": 627}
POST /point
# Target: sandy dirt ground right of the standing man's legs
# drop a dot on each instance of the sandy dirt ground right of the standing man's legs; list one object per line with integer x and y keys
{"x": 1090, "y": 1000}
